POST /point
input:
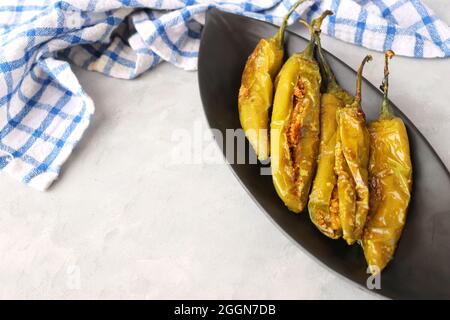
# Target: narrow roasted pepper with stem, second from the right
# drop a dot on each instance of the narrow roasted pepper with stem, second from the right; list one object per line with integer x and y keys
{"x": 351, "y": 165}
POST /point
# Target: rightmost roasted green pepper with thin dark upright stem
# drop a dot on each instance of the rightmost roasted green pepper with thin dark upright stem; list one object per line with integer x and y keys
{"x": 390, "y": 174}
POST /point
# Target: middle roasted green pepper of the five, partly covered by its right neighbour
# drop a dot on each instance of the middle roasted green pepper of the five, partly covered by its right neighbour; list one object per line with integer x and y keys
{"x": 323, "y": 203}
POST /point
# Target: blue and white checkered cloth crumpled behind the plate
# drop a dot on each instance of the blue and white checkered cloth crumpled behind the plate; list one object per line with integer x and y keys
{"x": 44, "y": 110}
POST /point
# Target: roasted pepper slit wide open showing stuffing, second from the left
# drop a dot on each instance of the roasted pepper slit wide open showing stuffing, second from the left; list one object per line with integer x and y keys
{"x": 295, "y": 126}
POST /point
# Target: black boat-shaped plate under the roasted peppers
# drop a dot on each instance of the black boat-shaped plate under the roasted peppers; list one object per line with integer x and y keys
{"x": 421, "y": 268}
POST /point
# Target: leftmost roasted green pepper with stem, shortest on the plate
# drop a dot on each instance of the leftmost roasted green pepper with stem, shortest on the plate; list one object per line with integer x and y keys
{"x": 256, "y": 91}
